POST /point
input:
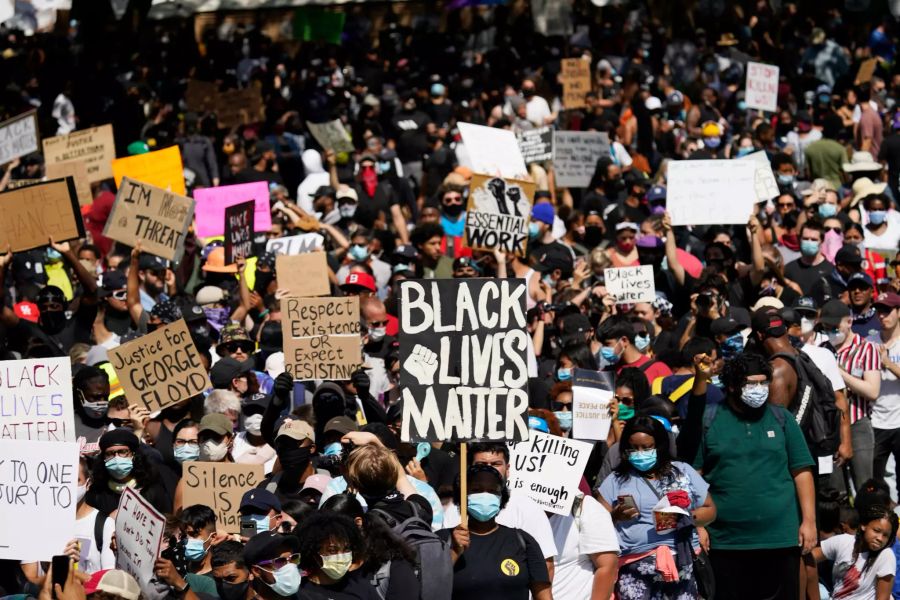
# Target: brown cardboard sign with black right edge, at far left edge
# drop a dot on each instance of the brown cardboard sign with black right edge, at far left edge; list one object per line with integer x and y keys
{"x": 34, "y": 213}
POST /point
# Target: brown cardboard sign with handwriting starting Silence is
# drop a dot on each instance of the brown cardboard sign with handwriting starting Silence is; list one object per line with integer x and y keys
{"x": 220, "y": 486}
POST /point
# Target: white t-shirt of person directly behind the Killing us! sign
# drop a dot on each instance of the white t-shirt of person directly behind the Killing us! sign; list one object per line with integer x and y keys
{"x": 576, "y": 540}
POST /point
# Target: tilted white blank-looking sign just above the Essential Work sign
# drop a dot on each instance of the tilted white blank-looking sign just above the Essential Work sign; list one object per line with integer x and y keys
{"x": 492, "y": 151}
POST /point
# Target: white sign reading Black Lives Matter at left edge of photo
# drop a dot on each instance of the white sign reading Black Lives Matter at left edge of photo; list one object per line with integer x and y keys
{"x": 36, "y": 400}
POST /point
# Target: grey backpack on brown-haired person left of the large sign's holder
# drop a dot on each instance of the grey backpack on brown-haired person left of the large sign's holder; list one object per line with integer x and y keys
{"x": 434, "y": 568}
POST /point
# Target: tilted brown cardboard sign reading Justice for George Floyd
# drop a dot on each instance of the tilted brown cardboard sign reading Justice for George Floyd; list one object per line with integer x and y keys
{"x": 161, "y": 368}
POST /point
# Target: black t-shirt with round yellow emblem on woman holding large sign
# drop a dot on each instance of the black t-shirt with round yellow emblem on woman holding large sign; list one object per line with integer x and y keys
{"x": 501, "y": 565}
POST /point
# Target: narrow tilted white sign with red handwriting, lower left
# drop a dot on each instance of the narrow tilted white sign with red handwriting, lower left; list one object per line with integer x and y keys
{"x": 139, "y": 533}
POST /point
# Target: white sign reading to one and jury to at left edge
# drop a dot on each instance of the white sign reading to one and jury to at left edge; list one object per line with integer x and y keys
{"x": 38, "y": 481}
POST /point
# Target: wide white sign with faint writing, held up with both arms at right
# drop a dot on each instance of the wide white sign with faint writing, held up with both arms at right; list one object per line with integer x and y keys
{"x": 711, "y": 192}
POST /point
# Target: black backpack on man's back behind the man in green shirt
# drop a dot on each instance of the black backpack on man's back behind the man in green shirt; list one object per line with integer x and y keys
{"x": 813, "y": 407}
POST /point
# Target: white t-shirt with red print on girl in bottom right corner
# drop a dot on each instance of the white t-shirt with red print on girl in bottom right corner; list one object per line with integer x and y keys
{"x": 850, "y": 581}
